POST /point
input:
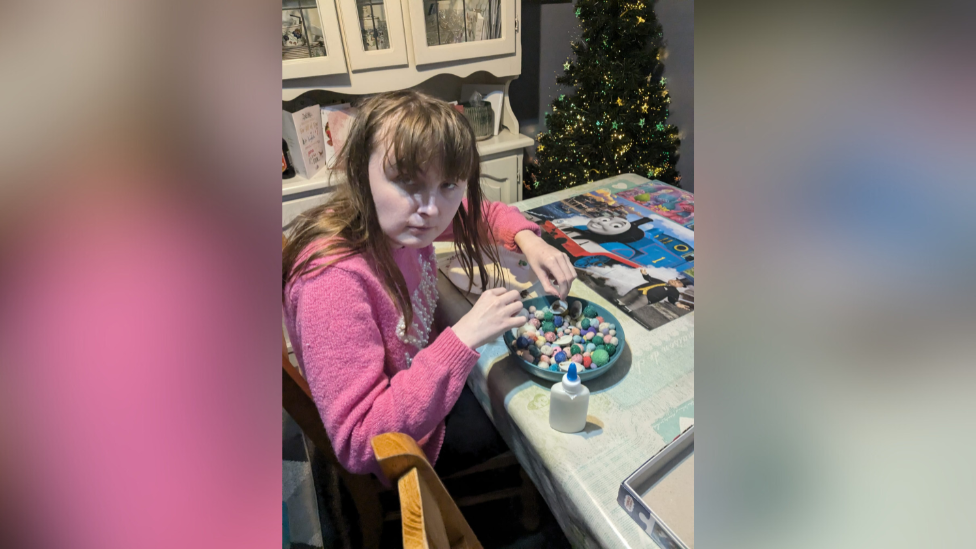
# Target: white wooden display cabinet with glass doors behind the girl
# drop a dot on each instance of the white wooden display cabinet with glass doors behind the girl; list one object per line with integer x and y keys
{"x": 363, "y": 47}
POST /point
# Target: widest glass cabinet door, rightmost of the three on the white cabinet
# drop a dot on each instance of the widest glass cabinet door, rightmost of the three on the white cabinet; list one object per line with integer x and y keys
{"x": 448, "y": 30}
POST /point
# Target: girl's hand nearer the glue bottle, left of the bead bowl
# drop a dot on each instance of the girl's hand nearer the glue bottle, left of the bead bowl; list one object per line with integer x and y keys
{"x": 491, "y": 315}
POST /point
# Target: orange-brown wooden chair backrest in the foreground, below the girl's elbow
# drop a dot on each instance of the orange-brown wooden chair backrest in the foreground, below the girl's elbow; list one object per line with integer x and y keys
{"x": 431, "y": 519}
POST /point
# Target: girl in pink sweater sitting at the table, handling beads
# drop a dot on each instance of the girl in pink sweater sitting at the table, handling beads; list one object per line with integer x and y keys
{"x": 359, "y": 279}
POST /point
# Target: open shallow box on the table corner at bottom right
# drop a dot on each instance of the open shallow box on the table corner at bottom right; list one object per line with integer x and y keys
{"x": 660, "y": 495}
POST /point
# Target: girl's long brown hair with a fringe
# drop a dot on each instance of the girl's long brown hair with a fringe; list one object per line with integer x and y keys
{"x": 420, "y": 130}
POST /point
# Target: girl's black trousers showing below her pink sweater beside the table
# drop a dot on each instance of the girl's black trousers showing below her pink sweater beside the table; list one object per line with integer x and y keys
{"x": 470, "y": 437}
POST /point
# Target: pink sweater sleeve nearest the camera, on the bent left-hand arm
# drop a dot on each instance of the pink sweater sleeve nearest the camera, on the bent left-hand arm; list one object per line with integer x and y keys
{"x": 354, "y": 395}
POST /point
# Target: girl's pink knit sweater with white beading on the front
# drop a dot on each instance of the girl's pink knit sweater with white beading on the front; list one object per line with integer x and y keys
{"x": 369, "y": 374}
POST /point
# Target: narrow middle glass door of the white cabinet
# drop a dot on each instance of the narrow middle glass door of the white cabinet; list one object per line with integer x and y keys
{"x": 374, "y": 33}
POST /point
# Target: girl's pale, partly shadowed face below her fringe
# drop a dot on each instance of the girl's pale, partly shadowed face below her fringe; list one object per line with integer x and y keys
{"x": 412, "y": 213}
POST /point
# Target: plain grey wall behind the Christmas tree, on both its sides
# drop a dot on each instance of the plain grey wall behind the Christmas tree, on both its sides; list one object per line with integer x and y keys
{"x": 548, "y": 28}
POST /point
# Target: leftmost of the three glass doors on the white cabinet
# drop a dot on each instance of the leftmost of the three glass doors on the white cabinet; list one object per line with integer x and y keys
{"x": 311, "y": 43}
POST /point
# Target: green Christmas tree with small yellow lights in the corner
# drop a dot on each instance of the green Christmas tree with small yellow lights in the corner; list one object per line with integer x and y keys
{"x": 617, "y": 119}
